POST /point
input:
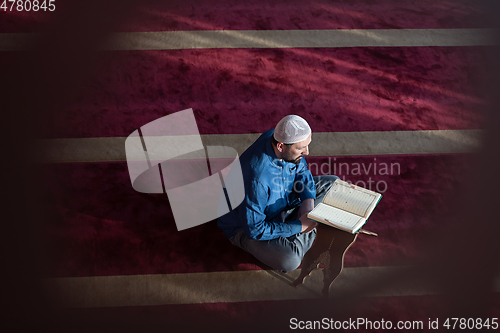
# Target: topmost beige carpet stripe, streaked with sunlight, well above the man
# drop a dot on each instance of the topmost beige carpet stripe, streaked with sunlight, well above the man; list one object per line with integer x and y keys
{"x": 175, "y": 40}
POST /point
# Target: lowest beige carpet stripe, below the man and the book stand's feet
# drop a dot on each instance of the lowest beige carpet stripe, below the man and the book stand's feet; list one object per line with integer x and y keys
{"x": 249, "y": 286}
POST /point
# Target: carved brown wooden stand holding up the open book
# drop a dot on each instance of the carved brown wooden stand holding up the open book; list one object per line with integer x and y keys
{"x": 328, "y": 249}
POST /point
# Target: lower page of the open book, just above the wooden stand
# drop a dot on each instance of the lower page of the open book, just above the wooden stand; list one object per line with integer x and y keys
{"x": 336, "y": 217}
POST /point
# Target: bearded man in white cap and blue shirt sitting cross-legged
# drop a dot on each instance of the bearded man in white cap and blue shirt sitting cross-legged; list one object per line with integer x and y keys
{"x": 271, "y": 223}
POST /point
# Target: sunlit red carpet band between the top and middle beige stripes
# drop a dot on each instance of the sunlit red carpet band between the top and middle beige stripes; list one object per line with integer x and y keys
{"x": 248, "y": 90}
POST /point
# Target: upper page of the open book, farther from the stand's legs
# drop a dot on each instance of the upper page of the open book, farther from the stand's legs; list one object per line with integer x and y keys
{"x": 352, "y": 198}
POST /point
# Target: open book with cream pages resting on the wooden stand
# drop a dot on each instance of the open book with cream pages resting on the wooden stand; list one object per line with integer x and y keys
{"x": 345, "y": 206}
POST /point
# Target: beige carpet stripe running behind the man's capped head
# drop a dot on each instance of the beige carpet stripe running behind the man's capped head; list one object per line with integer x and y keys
{"x": 323, "y": 144}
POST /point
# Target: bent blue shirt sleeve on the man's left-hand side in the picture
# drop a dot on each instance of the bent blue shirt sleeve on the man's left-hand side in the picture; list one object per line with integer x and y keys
{"x": 256, "y": 225}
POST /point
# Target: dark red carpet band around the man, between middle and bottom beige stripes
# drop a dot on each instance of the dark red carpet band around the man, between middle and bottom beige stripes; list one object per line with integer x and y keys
{"x": 104, "y": 227}
